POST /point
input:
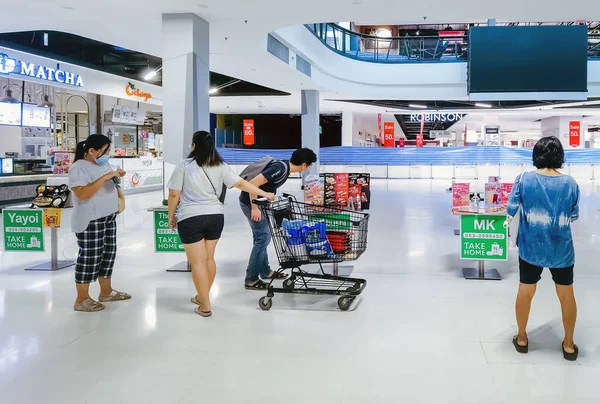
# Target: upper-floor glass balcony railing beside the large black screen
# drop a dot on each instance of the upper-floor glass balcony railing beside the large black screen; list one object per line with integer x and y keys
{"x": 406, "y": 49}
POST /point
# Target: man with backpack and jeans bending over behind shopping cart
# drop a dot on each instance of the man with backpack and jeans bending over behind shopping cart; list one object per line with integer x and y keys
{"x": 267, "y": 174}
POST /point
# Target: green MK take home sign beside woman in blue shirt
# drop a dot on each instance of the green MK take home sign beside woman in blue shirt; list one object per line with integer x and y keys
{"x": 483, "y": 237}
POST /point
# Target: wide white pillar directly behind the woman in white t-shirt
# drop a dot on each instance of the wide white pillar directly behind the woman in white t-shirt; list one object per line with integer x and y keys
{"x": 186, "y": 81}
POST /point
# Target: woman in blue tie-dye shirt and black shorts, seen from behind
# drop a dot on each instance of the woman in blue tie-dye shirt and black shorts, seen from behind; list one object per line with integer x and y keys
{"x": 548, "y": 203}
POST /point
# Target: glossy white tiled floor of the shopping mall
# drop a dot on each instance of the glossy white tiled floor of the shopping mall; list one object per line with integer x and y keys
{"x": 419, "y": 334}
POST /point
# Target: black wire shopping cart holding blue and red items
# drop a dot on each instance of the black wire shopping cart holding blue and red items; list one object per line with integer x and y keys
{"x": 306, "y": 234}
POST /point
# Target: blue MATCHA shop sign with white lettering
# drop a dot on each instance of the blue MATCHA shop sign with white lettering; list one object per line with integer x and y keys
{"x": 10, "y": 65}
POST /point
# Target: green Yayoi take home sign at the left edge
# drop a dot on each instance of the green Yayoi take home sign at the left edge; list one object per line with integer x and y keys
{"x": 23, "y": 230}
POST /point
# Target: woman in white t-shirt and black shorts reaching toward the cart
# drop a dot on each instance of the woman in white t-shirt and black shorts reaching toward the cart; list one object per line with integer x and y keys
{"x": 196, "y": 210}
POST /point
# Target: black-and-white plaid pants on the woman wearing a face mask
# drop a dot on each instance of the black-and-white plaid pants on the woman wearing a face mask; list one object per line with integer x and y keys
{"x": 97, "y": 250}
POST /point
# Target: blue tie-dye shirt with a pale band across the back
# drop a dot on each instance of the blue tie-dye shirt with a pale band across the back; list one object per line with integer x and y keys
{"x": 548, "y": 206}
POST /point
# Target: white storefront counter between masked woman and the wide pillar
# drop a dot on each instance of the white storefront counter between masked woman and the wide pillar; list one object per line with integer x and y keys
{"x": 144, "y": 174}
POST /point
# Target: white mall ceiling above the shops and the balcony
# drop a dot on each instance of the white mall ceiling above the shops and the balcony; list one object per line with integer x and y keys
{"x": 136, "y": 24}
